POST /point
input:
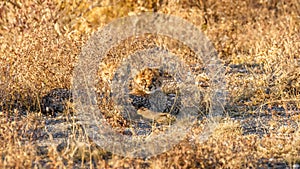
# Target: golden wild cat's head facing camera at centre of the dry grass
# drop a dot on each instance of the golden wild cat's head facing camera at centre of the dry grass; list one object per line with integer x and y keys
{"x": 147, "y": 81}
